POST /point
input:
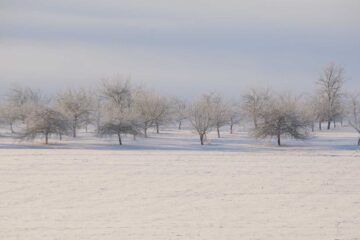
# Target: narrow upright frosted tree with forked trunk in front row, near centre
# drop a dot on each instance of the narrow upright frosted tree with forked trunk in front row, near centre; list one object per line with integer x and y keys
{"x": 200, "y": 116}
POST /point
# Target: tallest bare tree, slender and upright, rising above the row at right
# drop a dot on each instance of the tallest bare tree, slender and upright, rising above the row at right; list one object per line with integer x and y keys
{"x": 330, "y": 84}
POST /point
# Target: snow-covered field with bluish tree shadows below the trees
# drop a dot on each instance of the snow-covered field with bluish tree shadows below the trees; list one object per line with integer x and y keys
{"x": 169, "y": 187}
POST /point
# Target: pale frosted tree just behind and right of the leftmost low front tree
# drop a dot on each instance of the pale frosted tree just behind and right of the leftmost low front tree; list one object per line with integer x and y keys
{"x": 76, "y": 105}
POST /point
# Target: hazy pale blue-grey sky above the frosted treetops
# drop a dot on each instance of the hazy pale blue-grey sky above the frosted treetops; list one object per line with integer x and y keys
{"x": 182, "y": 47}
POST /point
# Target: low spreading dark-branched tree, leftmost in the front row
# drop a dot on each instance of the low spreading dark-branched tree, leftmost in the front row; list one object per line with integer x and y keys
{"x": 45, "y": 121}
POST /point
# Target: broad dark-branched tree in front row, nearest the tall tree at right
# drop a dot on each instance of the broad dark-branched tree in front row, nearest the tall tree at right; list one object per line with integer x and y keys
{"x": 283, "y": 118}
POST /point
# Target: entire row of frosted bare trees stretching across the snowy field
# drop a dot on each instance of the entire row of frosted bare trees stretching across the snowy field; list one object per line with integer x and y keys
{"x": 118, "y": 108}
